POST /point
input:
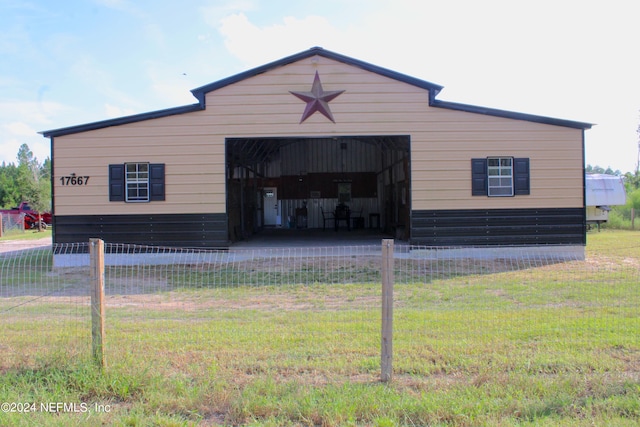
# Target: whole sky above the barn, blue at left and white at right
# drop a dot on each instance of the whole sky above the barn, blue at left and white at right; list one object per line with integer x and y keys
{"x": 71, "y": 62}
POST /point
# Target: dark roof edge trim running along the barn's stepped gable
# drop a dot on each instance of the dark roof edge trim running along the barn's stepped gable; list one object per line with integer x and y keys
{"x": 201, "y": 91}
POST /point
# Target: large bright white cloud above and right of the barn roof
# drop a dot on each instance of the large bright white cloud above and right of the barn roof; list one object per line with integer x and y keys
{"x": 500, "y": 54}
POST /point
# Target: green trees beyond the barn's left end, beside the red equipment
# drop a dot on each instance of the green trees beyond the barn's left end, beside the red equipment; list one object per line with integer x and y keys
{"x": 28, "y": 180}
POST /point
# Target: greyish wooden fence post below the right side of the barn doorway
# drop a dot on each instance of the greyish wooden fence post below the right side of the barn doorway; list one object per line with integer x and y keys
{"x": 387, "y": 311}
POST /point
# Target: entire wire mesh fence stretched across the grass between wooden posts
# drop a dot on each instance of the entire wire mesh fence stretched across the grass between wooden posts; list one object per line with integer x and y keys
{"x": 316, "y": 312}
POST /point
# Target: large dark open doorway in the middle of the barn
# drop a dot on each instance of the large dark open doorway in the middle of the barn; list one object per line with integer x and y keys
{"x": 346, "y": 183}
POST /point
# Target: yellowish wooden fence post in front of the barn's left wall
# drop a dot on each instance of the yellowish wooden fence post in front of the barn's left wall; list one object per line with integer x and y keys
{"x": 96, "y": 254}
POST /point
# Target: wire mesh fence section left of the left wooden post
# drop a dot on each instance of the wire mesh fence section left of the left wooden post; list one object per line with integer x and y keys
{"x": 43, "y": 310}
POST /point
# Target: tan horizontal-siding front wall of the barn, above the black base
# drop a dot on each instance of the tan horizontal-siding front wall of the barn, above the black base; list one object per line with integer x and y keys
{"x": 442, "y": 143}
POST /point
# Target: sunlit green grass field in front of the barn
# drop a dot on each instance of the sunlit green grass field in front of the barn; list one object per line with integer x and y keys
{"x": 552, "y": 345}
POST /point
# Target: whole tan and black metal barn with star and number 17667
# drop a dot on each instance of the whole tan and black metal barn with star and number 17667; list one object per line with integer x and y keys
{"x": 318, "y": 141}
